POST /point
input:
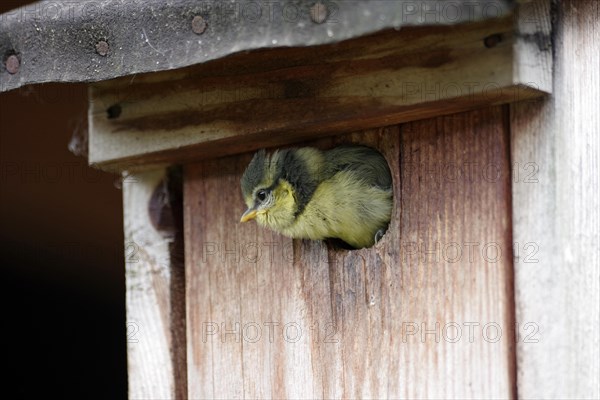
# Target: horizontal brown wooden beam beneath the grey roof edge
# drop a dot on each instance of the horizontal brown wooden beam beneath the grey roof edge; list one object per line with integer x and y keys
{"x": 270, "y": 97}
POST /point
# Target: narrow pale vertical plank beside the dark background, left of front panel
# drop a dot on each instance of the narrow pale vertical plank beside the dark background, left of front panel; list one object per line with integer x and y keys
{"x": 155, "y": 297}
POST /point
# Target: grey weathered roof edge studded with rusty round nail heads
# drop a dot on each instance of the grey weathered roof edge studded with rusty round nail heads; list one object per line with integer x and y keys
{"x": 175, "y": 34}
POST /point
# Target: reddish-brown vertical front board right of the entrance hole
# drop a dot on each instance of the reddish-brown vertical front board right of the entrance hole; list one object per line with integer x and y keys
{"x": 459, "y": 199}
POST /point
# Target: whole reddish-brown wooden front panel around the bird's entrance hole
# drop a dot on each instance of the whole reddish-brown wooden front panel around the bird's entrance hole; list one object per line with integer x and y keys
{"x": 416, "y": 316}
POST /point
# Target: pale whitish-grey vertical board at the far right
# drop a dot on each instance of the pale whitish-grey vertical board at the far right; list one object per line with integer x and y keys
{"x": 556, "y": 214}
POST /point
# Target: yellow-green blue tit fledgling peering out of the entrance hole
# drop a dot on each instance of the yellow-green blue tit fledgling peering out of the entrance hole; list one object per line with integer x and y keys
{"x": 305, "y": 193}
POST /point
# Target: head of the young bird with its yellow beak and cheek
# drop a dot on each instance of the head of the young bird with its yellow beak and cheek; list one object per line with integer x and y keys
{"x": 270, "y": 198}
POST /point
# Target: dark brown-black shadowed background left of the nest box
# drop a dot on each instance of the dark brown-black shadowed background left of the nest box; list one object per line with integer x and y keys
{"x": 63, "y": 283}
